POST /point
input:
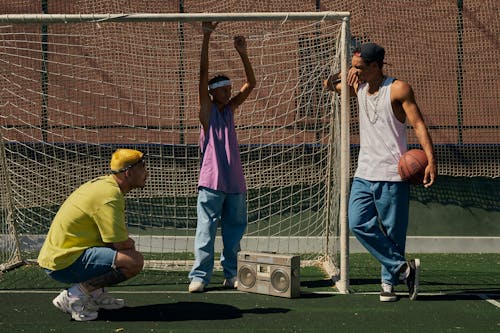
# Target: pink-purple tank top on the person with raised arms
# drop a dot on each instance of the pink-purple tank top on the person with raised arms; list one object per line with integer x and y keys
{"x": 221, "y": 168}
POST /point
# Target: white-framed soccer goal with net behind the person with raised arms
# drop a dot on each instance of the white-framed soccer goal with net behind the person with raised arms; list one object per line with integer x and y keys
{"x": 77, "y": 86}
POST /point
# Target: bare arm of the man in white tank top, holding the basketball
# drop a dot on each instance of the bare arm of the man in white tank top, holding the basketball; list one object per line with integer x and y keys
{"x": 403, "y": 93}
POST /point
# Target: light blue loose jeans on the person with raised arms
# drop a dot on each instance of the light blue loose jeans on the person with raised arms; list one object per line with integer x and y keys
{"x": 231, "y": 209}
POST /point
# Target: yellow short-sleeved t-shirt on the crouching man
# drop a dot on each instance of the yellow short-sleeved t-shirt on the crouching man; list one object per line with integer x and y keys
{"x": 94, "y": 214}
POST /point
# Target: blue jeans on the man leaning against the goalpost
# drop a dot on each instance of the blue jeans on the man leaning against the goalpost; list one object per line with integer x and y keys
{"x": 378, "y": 217}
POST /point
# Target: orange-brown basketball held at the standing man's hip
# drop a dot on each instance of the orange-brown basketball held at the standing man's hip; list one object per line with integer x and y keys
{"x": 411, "y": 166}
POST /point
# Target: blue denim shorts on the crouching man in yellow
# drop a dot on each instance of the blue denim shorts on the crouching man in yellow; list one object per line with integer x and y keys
{"x": 93, "y": 262}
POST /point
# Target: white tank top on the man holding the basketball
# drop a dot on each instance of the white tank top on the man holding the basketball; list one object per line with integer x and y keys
{"x": 382, "y": 136}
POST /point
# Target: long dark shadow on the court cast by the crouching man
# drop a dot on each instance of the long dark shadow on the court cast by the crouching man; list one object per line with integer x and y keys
{"x": 182, "y": 311}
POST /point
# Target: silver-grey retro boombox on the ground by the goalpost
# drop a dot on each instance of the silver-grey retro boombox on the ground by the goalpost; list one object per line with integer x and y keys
{"x": 269, "y": 273}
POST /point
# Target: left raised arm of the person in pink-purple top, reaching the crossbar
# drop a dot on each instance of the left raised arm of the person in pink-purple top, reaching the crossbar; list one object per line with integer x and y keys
{"x": 204, "y": 96}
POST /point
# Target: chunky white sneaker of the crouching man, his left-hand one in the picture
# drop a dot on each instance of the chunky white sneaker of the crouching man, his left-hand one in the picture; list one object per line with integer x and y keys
{"x": 81, "y": 308}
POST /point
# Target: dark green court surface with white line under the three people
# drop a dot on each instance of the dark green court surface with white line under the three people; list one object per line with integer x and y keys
{"x": 459, "y": 293}
